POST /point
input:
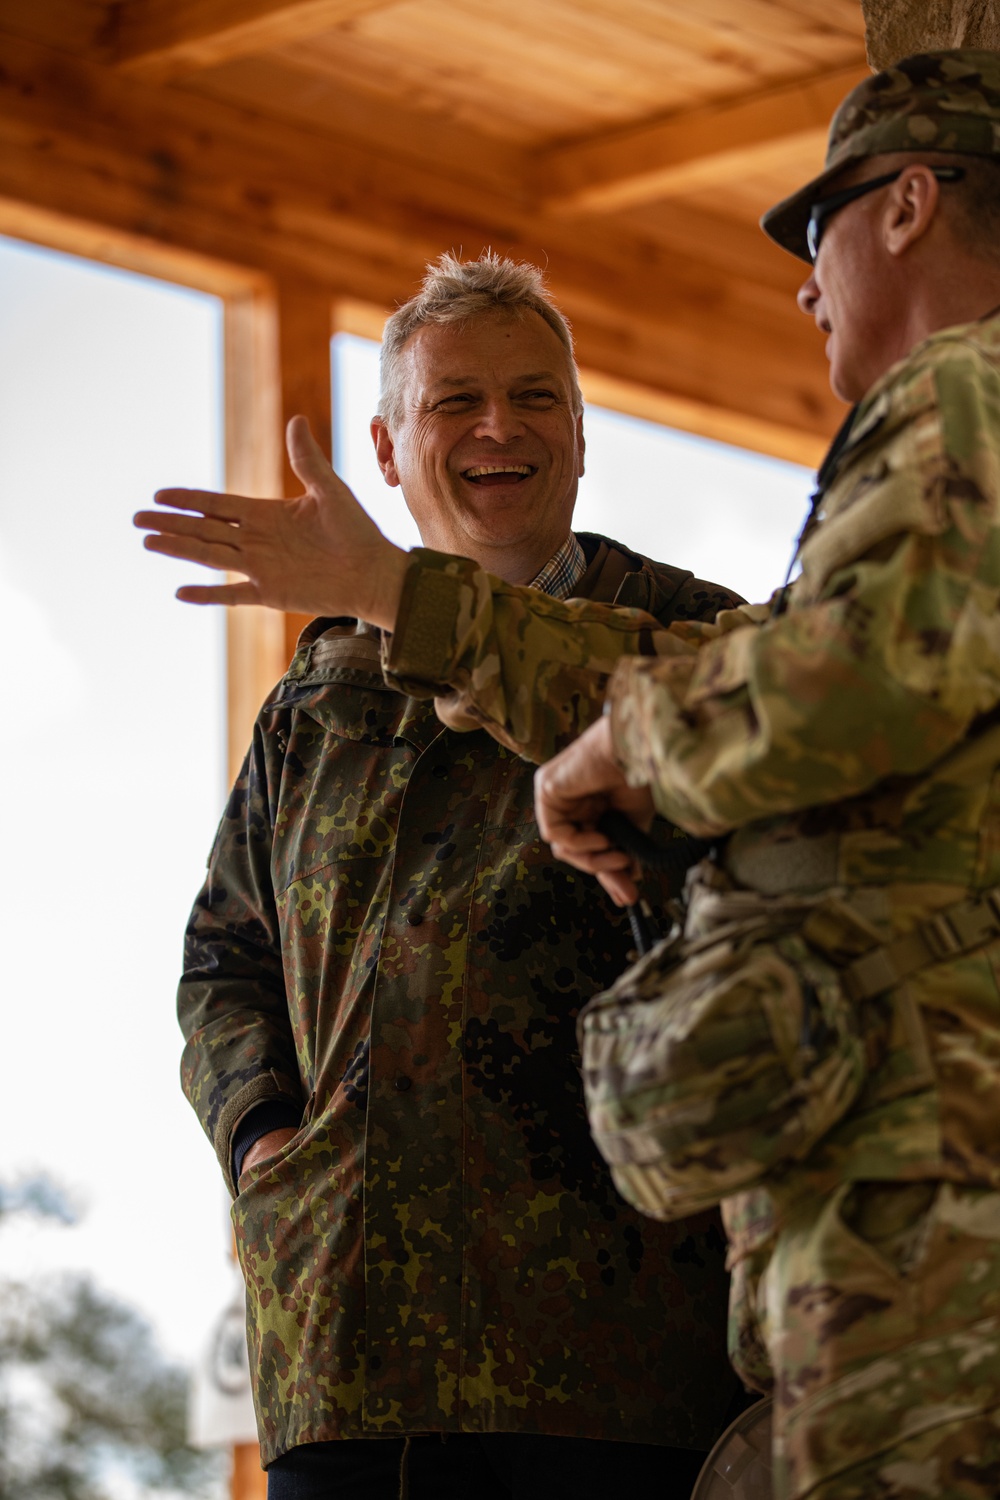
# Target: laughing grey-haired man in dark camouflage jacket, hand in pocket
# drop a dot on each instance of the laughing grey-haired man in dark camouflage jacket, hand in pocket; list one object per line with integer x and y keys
{"x": 383, "y": 977}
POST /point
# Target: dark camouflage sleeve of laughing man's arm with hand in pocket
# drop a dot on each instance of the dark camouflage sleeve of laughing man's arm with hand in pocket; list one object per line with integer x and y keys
{"x": 239, "y": 1049}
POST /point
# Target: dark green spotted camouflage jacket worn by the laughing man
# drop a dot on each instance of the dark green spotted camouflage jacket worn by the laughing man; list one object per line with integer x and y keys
{"x": 385, "y": 941}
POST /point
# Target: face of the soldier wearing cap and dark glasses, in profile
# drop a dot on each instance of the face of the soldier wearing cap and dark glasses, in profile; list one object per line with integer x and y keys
{"x": 852, "y": 299}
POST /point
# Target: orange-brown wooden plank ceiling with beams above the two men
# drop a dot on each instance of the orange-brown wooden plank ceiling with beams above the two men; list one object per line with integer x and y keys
{"x": 629, "y": 146}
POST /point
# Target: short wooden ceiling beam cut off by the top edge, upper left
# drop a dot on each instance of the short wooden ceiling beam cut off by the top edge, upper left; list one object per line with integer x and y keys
{"x": 161, "y": 40}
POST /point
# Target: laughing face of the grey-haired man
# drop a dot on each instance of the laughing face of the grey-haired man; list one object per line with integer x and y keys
{"x": 488, "y": 451}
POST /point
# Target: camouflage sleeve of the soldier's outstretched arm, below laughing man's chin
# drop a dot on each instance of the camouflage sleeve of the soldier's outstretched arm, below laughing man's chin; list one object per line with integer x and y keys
{"x": 528, "y": 668}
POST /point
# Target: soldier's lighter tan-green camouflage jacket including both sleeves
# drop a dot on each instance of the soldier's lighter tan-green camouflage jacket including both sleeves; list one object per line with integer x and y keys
{"x": 852, "y": 740}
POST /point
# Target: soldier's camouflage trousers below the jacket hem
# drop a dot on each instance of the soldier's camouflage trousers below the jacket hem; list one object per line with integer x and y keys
{"x": 881, "y": 1306}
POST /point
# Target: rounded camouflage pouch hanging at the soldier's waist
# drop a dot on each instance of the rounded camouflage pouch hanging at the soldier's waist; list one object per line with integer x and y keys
{"x": 713, "y": 1064}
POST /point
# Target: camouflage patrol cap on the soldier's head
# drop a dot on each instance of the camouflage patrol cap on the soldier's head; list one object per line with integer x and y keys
{"x": 947, "y": 101}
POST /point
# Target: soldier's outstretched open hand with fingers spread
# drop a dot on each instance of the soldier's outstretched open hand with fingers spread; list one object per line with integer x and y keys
{"x": 320, "y": 554}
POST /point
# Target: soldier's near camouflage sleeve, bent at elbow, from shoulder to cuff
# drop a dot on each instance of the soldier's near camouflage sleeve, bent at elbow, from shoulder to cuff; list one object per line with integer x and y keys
{"x": 891, "y": 646}
